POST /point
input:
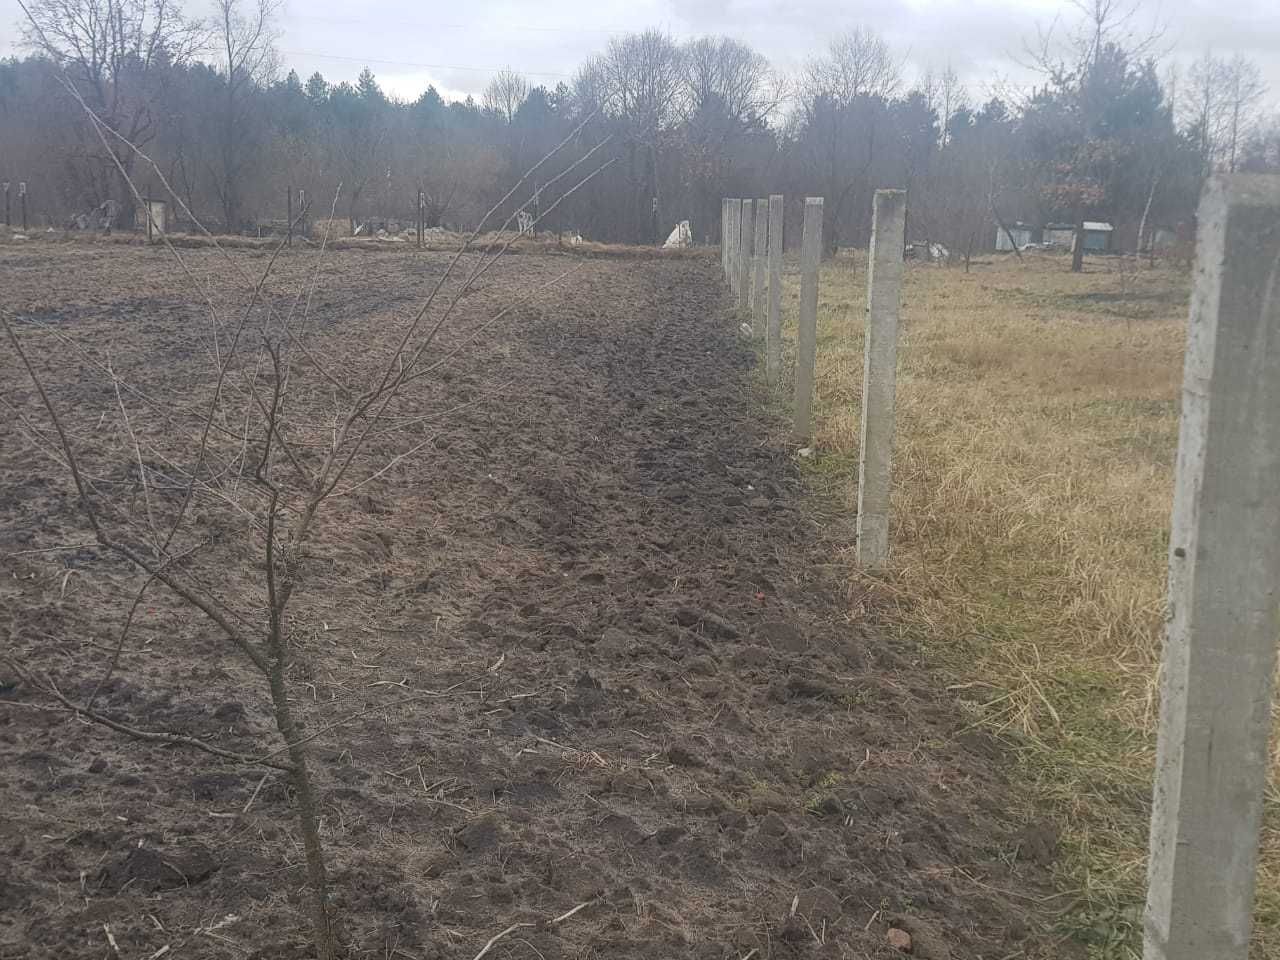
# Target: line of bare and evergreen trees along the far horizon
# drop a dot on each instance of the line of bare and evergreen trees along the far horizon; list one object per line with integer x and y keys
{"x": 1108, "y": 132}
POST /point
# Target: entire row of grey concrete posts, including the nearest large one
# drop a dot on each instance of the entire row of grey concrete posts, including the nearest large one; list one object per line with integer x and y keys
{"x": 1219, "y": 659}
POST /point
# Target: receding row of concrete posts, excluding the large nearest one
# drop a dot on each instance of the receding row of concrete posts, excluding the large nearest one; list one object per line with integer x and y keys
{"x": 752, "y": 258}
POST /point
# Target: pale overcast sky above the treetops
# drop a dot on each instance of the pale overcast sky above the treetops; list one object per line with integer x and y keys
{"x": 458, "y": 47}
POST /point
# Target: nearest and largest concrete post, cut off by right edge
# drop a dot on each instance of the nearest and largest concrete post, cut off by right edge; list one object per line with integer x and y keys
{"x": 1224, "y": 587}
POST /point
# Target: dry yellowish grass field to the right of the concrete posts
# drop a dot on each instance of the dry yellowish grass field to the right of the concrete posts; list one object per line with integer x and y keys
{"x": 1034, "y": 481}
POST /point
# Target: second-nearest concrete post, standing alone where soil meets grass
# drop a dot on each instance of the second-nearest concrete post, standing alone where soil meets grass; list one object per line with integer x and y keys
{"x": 880, "y": 376}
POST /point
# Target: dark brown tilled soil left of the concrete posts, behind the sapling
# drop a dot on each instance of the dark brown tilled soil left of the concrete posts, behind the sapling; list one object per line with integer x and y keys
{"x": 646, "y": 682}
